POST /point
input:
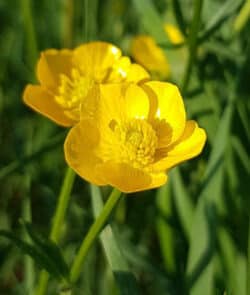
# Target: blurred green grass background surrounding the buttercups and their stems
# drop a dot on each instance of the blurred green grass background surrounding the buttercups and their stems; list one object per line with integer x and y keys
{"x": 190, "y": 236}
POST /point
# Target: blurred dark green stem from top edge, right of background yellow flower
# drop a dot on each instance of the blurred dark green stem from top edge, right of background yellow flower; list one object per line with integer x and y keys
{"x": 192, "y": 43}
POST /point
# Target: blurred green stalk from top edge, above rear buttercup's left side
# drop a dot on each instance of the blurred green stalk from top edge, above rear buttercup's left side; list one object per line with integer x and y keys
{"x": 30, "y": 32}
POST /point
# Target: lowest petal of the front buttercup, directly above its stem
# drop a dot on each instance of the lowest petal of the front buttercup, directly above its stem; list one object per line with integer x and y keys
{"x": 128, "y": 179}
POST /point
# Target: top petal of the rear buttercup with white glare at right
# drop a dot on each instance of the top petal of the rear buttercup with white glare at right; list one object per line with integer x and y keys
{"x": 95, "y": 58}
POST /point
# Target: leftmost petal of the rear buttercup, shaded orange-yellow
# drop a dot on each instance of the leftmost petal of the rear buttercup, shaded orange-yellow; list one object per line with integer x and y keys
{"x": 43, "y": 102}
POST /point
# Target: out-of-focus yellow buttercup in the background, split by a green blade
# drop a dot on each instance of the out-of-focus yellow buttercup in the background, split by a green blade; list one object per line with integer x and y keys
{"x": 146, "y": 52}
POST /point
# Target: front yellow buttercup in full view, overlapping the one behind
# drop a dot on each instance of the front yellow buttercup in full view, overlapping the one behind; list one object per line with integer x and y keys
{"x": 129, "y": 136}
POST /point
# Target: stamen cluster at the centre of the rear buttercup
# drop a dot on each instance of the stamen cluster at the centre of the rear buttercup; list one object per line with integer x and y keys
{"x": 72, "y": 91}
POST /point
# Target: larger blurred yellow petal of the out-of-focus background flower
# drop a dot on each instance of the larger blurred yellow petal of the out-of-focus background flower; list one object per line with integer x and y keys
{"x": 146, "y": 52}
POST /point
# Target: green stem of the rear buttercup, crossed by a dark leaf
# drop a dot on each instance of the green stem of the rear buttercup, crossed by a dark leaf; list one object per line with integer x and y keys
{"x": 57, "y": 222}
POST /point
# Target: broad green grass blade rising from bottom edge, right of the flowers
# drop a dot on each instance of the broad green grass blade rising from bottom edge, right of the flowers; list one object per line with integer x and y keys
{"x": 199, "y": 266}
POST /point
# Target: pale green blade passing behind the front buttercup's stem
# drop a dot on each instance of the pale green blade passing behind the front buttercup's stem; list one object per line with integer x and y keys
{"x": 124, "y": 278}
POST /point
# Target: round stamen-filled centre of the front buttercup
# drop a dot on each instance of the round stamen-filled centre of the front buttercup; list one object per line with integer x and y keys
{"x": 137, "y": 142}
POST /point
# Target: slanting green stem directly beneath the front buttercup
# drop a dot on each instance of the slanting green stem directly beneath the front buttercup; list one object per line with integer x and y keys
{"x": 92, "y": 235}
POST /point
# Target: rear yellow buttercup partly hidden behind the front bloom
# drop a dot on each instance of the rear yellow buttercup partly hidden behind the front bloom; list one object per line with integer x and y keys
{"x": 66, "y": 77}
